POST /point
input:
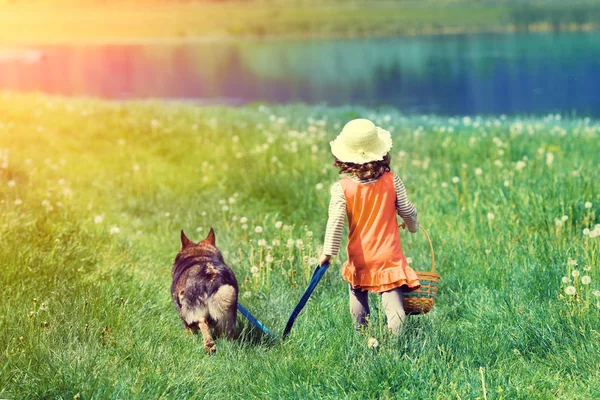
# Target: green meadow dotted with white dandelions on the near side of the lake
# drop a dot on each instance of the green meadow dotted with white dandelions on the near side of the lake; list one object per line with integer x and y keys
{"x": 87, "y": 313}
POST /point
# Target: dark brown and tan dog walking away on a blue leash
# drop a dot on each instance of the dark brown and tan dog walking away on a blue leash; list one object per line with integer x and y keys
{"x": 204, "y": 289}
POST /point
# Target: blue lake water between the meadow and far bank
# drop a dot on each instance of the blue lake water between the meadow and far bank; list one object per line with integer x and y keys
{"x": 524, "y": 73}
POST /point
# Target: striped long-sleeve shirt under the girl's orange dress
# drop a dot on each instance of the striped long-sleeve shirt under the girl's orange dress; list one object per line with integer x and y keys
{"x": 337, "y": 213}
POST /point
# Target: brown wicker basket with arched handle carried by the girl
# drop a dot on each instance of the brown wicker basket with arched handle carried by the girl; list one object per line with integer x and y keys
{"x": 421, "y": 300}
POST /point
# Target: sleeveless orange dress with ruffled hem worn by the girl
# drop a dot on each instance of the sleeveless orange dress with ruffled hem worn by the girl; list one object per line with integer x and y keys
{"x": 375, "y": 259}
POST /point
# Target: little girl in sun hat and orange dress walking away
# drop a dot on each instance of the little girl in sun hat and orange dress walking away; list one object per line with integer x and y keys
{"x": 370, "y": 196}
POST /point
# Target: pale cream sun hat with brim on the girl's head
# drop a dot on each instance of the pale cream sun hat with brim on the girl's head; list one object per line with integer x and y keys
{"x": 361, "y": 142}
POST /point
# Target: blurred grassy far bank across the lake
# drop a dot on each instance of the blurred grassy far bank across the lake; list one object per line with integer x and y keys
{"x": 41, "y": 21}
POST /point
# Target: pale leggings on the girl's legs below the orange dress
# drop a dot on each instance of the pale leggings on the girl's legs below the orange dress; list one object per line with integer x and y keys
{"x": 393, "y": 307}
